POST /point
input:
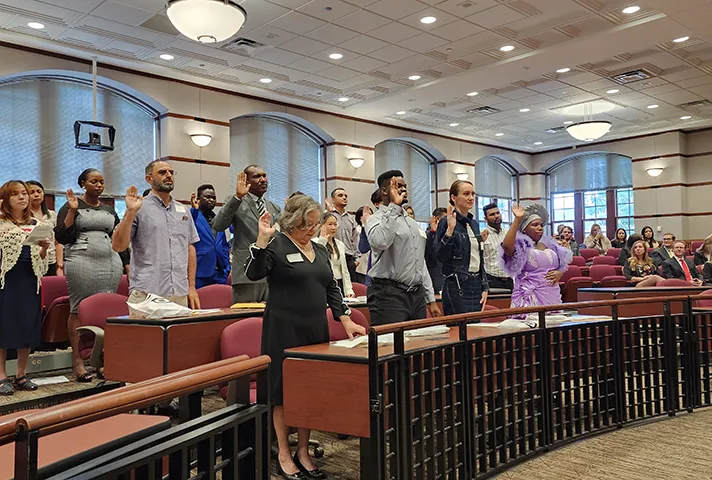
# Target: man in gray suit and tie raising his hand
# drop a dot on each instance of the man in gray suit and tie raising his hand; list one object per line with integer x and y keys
{"x": 243, "y": 211}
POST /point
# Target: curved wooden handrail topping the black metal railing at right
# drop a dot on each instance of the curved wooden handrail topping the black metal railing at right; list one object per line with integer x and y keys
{"x": 446, "y": 320}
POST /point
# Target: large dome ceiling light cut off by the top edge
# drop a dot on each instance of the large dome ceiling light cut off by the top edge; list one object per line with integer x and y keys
{"x": 206, "y": 21}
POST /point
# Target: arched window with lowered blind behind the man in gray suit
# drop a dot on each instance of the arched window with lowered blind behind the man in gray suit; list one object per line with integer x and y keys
{"x": 291, "y": 155}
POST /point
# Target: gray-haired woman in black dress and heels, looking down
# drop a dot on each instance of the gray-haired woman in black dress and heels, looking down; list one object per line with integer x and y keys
{"x": 301, "y": 284}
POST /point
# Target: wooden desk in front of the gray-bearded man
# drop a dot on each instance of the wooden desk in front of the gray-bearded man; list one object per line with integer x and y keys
{"x": 139, "y": 349}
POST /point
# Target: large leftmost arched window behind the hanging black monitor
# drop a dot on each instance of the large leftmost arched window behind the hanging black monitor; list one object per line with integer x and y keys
{"x": 37, "y": 116}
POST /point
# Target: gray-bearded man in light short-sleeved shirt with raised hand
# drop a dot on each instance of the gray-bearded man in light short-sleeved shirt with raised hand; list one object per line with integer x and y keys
{"x": 162, "y": 236}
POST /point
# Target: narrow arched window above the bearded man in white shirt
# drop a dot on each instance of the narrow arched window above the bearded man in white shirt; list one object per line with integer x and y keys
{"x": 494, "y": 183}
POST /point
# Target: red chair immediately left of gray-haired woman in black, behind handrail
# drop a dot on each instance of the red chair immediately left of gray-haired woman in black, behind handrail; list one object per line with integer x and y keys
{"x": 243, "y": 337}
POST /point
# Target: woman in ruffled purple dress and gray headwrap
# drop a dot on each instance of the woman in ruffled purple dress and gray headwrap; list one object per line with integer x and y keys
{"x": 534, "y": 261}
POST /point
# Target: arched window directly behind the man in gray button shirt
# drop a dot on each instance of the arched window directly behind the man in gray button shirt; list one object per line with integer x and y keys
{"x": 416, "y": 161}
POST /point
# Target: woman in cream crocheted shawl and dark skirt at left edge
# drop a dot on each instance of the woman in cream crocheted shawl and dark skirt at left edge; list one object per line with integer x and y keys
{"x": 22, "y": 269}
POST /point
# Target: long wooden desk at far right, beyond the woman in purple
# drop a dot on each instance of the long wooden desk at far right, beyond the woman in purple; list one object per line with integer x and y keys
{"x": 648, "y": 309}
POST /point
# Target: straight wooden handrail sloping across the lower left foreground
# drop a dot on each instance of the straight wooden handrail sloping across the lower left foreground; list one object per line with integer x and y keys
{"x": 136, "y": 396}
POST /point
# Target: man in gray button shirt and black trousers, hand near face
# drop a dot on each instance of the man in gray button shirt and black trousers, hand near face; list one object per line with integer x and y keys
{"x": 401, "y": 286}
